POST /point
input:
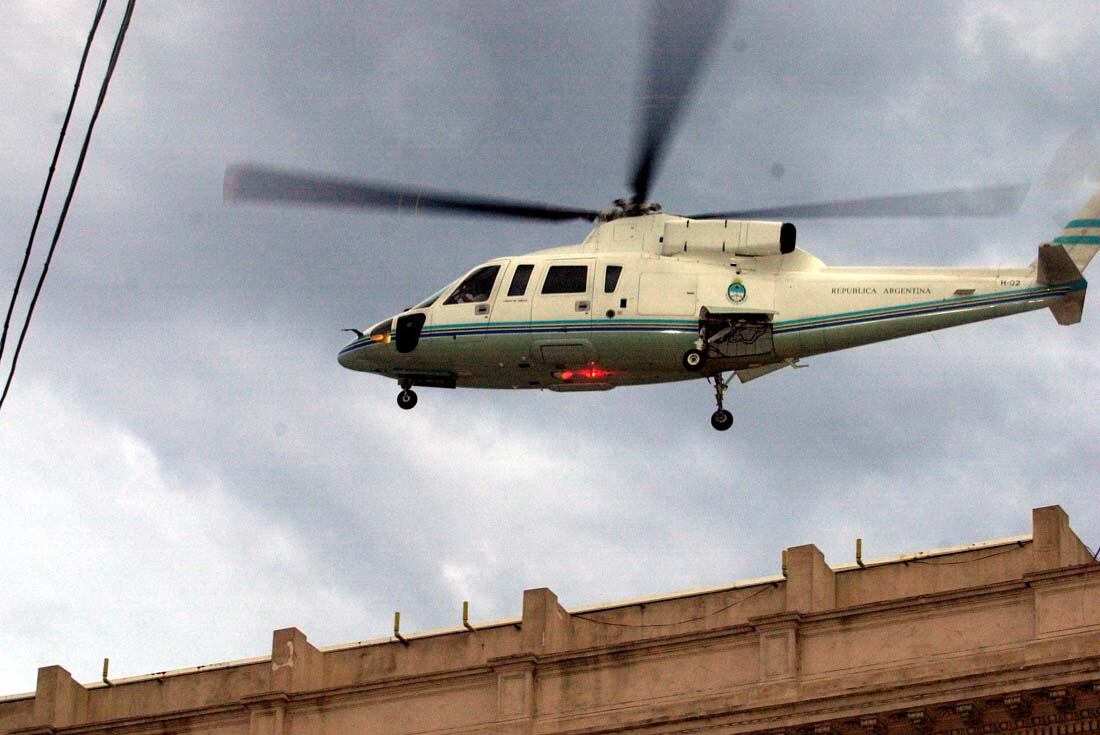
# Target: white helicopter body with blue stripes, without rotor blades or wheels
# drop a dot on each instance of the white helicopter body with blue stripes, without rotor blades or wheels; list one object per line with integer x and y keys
{"x": 629, "y": 304}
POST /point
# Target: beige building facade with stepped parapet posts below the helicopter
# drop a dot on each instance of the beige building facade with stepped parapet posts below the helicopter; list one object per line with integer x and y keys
{"x": 1000, "y": 638}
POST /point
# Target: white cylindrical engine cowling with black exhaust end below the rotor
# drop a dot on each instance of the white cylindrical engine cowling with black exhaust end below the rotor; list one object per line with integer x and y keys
{"x": 752, "y": 238}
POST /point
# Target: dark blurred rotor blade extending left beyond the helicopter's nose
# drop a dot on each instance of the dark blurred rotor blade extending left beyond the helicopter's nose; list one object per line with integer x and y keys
{"x": 251, "y": 183}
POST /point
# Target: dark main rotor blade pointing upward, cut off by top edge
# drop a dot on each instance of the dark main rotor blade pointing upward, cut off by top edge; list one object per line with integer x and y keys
{"x": 681, "y": 37}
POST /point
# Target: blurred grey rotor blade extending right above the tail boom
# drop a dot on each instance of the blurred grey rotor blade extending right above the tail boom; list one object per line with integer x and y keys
{"x": 987, "y": 202}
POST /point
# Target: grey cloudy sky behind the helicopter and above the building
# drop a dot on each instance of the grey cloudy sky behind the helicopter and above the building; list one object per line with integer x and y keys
{"x": 185, "y": 468}
